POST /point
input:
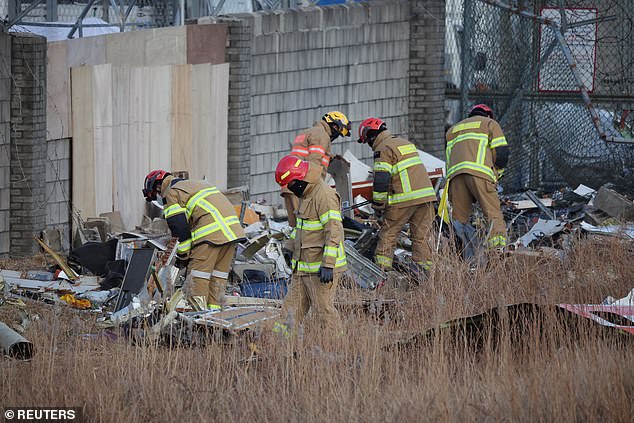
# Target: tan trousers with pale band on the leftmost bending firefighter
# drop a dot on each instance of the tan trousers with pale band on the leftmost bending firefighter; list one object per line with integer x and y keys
{"x": 209, "y": 266}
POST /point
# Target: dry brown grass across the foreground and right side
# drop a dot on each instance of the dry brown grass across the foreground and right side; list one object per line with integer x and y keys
{"x": 356, "y": 377}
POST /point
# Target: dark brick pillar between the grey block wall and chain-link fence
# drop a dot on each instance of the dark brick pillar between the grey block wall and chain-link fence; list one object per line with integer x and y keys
{"x": 427, "y": 76}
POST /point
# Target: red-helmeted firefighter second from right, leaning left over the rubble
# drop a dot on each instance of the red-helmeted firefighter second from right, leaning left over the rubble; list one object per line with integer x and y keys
{"x": 402, "y": 193}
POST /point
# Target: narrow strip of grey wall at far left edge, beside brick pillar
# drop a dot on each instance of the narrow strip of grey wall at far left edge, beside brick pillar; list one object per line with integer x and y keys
{"x": 5, "y": 140}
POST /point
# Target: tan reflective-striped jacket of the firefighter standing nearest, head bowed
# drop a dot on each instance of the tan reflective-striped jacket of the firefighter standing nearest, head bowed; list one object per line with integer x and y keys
{"x": 317, "y": 240}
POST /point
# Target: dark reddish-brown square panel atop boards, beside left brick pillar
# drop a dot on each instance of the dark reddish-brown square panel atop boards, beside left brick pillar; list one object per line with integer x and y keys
{"x": 206, "y": 43}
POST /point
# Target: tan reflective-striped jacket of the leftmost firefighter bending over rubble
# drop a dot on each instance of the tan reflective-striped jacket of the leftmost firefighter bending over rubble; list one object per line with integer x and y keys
{"x": 200, "y": 210}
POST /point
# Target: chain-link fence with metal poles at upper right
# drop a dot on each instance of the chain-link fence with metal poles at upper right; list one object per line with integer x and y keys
{"x": 559, "y": 75}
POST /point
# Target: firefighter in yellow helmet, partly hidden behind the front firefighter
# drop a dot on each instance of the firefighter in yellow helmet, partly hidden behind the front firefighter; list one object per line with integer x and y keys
{"x": 314, "y": 146}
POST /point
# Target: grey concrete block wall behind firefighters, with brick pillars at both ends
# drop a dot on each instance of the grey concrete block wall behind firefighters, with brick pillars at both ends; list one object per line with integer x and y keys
{"x": 290, "y": 67}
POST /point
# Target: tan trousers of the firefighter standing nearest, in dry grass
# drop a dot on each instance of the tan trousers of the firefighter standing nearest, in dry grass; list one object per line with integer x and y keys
{"x": 306, "y": 293}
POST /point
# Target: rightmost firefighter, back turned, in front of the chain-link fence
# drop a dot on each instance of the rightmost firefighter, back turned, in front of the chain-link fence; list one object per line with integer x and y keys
{"x": 477, "y": 152}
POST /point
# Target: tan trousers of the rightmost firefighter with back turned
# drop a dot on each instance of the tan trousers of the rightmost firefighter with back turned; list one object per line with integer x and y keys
{"x": 466, "y": 189}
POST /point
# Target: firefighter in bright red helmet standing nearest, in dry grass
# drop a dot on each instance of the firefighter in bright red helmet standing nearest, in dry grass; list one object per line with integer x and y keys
{"x": 317, "y": 244}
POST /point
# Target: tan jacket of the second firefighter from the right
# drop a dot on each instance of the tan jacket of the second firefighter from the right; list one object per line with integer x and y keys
{"x": 409, "y": 182}
